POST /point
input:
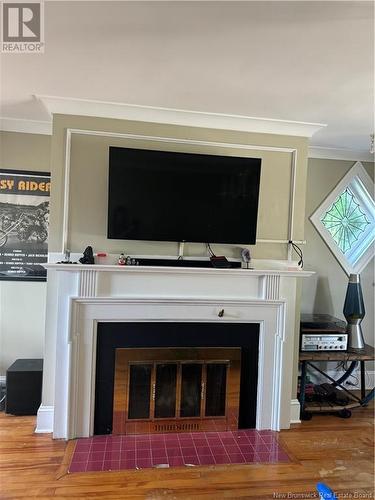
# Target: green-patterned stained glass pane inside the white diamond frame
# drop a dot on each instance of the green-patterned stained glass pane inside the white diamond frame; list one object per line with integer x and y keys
{"x": 345, "y": 220}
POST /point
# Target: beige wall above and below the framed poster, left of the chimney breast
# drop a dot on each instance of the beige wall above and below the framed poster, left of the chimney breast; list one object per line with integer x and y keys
{"x": 22, "y": 304}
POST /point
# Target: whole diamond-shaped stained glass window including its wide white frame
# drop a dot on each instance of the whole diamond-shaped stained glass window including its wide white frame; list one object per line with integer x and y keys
{"x": 346, "y": 220}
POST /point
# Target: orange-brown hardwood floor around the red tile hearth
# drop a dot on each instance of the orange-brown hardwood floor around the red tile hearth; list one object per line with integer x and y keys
{"x": 329, "y": 449}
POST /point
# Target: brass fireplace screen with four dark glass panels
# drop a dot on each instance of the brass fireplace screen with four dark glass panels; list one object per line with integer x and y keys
{"x": 176, "y": 389}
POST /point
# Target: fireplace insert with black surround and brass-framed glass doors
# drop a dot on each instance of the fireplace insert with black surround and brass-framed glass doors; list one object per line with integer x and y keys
{"x": 212, "y": 355}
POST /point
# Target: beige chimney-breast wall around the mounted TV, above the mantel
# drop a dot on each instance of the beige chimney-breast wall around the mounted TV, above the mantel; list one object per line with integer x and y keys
{"x": 89, "y": 173}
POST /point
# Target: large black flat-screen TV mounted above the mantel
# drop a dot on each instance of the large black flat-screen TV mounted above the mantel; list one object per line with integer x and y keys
{"x": 167, "y": 196}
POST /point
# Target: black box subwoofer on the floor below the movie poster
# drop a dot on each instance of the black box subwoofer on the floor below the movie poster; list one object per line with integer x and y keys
{"x": 24, "y": 387}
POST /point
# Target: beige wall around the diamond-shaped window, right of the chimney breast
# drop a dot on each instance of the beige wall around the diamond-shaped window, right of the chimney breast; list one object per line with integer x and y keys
{"x": 325, "y": 292}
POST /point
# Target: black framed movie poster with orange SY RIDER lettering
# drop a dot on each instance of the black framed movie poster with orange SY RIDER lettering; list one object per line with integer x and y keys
{"x": 24, "y": 215}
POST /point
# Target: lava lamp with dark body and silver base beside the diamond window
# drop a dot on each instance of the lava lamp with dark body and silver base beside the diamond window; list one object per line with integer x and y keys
{"x": 354, "y": 312}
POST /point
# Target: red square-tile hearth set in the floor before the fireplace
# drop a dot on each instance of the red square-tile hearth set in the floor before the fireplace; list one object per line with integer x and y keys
{"x": 106, "y": 453}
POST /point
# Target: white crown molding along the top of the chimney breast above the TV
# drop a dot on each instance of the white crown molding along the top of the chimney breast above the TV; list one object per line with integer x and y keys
{"x": 121, "y": 111}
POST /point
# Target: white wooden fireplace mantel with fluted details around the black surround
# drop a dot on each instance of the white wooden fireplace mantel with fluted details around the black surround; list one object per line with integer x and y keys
{"x": 88, "y": 294}
